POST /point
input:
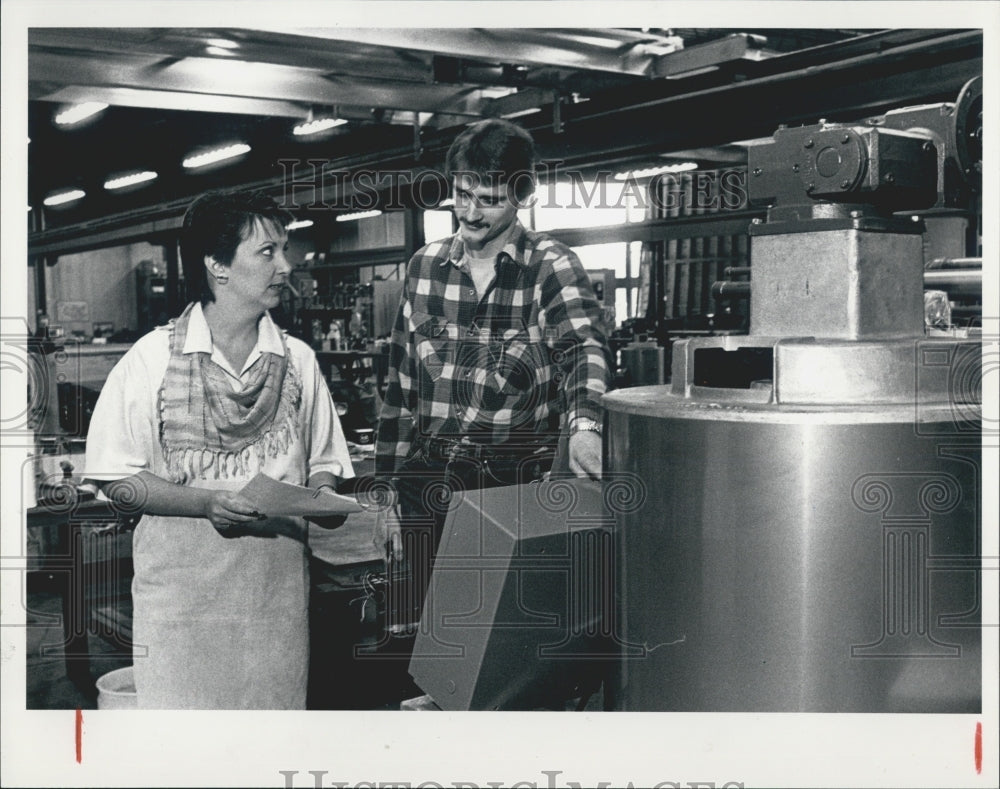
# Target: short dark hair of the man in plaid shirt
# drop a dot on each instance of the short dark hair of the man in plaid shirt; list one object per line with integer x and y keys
{"x": 495, "y": 148}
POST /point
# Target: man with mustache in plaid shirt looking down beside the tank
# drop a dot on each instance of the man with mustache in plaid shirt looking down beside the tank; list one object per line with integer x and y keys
{"x": 498, "y": 339}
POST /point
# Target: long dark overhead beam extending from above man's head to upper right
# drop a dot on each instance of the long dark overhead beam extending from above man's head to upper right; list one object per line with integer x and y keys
{"x": 869, "y": 84}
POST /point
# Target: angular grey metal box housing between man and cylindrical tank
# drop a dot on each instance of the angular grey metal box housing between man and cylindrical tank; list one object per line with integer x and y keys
{"x": 514, "y": 618}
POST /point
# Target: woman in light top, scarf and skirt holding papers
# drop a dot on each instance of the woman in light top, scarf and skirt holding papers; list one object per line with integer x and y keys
{"x": 190, "y": 414}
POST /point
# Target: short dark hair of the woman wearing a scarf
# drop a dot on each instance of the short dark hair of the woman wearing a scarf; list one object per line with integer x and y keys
{"x": 215, "y": 224}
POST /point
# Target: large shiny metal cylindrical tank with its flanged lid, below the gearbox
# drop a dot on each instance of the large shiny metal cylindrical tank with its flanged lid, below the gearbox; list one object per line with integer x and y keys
{"x": 809, "y": 533}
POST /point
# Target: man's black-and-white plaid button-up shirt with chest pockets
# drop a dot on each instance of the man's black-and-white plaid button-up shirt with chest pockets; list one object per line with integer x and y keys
{"x": 492, "y": 367}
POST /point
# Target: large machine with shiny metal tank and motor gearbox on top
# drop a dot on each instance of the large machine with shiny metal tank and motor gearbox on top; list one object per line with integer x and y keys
{"x": 810, "y": 535}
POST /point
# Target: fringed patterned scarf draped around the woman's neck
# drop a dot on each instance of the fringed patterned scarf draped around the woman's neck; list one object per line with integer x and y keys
{"x": 209, "y": 430}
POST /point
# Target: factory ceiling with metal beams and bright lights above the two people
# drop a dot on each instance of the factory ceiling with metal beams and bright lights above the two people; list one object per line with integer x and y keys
{"x": 609, "y": 96}
